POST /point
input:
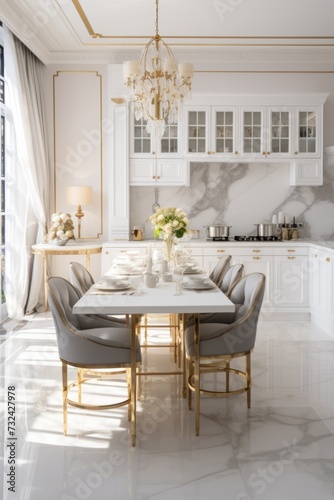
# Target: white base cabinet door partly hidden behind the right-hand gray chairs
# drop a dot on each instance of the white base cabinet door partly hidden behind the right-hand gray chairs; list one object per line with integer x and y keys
{"x": 259, "y": 264}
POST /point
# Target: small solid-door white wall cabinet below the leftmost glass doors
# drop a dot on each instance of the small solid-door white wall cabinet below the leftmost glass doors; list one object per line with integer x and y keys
{"x": 163, "y": 172}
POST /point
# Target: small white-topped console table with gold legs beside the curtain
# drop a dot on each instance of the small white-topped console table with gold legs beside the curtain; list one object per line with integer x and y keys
{"x": 46, "y": 249}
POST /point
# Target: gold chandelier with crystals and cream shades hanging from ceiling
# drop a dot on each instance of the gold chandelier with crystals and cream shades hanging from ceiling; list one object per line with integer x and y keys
{"x": 157, "y": 85}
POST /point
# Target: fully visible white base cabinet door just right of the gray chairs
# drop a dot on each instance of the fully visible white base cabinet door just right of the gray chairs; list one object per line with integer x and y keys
{"x": 290, "y": 281}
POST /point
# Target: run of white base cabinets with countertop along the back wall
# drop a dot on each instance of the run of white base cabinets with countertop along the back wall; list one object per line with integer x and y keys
{"x": 300, "y": 273}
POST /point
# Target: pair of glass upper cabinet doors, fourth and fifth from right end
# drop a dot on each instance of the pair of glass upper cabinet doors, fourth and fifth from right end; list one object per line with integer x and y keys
{"x": 210, "y": 130}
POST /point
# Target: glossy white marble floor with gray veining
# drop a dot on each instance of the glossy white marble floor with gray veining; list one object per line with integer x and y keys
{"x": 280, "y": 449}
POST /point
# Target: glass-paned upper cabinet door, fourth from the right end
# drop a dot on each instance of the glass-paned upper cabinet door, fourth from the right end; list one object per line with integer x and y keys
{"x": 223, "y": 131}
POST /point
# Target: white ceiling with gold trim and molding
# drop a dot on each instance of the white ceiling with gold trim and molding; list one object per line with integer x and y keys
{"x": 212, "y": 33}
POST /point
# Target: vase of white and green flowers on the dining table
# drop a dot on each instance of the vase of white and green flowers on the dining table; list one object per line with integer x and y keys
{"x": 171, "y": 223}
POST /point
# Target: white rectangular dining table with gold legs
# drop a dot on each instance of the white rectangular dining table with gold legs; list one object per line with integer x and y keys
{"x": 161, "y": 299}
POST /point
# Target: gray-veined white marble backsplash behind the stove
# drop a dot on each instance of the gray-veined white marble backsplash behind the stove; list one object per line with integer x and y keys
{"x": 241, "y": 195}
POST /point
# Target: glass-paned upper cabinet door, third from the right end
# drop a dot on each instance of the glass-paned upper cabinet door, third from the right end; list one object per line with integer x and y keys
{"x": 252, "y": 132}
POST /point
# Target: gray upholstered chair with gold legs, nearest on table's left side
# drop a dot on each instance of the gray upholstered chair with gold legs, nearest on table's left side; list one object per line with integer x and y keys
{"x": 89, "y": 348}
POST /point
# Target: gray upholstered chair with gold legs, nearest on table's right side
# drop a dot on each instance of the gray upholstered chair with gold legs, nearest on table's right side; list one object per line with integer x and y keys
{"x": 220, "y": 343}
